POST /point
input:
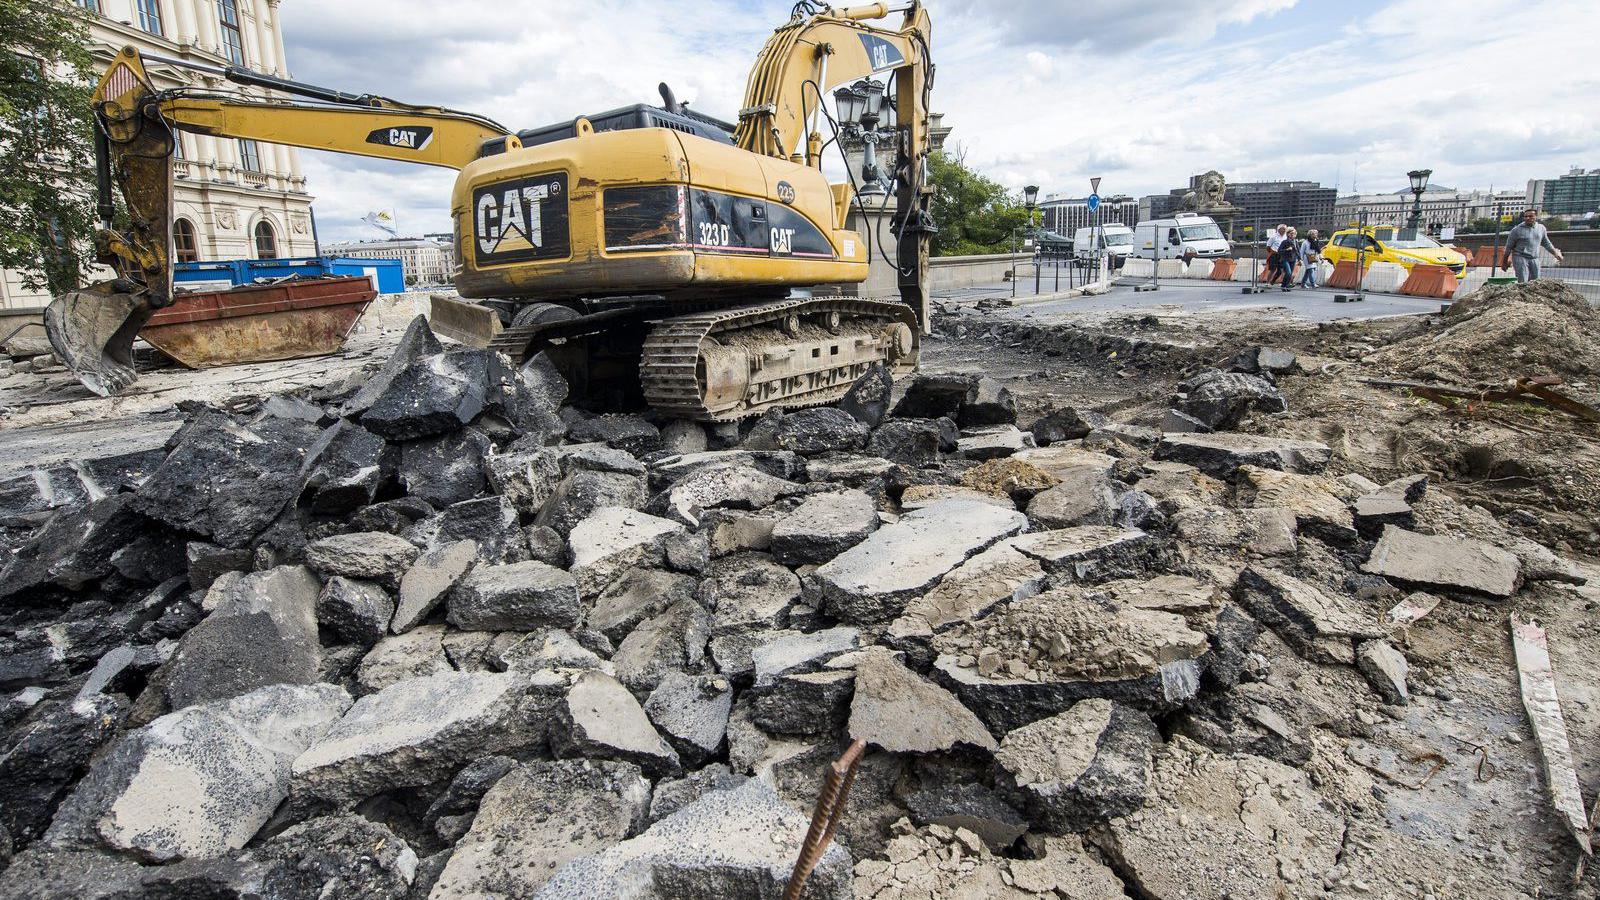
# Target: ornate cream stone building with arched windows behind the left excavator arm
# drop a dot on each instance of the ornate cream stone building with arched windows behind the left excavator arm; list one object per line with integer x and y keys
{"x": 233, "y": 199}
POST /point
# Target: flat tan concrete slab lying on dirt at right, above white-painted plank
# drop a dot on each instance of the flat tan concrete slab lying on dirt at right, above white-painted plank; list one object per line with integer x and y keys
{"x": 1439, "y": 563}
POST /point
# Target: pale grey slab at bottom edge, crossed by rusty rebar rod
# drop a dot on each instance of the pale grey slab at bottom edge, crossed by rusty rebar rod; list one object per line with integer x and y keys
{"x": 737, "y": 843}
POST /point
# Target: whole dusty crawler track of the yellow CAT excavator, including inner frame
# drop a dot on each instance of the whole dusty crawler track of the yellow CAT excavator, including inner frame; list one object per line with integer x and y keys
{"x": 732, "y": 364}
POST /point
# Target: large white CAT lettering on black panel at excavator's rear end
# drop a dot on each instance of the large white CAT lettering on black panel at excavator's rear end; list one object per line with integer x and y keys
{"x": 522, "y": 220}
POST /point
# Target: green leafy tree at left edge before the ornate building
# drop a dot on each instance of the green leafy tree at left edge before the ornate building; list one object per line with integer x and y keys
{"x": 47, "y": 155}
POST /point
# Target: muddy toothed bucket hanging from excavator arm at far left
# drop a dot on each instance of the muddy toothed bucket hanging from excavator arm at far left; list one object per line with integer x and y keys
{"x": 94, "y": 331}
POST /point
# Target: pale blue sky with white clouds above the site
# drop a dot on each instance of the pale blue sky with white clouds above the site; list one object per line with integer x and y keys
{"x": 1046, "y": 92}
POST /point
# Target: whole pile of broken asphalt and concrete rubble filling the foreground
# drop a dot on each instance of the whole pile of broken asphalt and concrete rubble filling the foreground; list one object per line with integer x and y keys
{"x": 434, "y": 633}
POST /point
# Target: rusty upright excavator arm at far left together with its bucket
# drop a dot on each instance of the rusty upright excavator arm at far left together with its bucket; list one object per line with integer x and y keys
{"x": 94, "y": 329}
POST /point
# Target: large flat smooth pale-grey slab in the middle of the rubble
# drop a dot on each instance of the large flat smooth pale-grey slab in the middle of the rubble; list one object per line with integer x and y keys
{"x": 871, "y": 582}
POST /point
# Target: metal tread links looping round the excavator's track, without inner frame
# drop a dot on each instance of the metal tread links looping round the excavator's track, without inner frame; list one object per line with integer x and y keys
{"x": 670, "y": 364}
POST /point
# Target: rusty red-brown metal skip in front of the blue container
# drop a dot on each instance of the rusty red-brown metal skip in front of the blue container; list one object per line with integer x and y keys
{"x": 260, "y": 323}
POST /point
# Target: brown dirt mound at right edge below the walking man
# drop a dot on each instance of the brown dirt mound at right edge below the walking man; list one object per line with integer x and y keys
{"x": 1503, "y": 332}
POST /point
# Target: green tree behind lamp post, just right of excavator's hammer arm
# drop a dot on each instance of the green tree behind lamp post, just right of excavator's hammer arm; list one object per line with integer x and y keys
{"x": 975, "y": 214}
